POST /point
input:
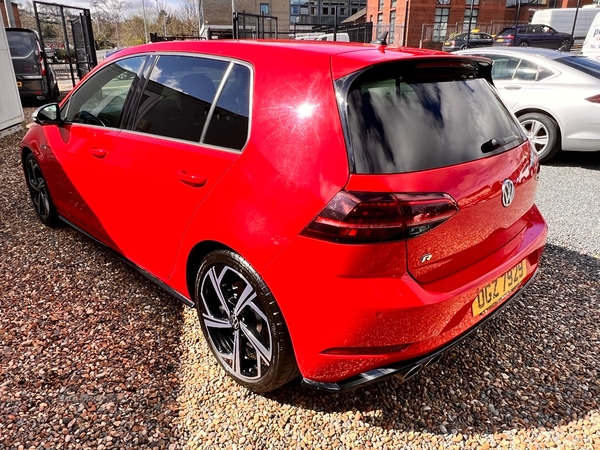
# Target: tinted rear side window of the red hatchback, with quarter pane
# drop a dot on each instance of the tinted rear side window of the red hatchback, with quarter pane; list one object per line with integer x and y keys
{"x": 179, "y": 101}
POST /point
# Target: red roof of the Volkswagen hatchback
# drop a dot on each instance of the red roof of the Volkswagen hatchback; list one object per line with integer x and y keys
{"x": 351, "y": 56}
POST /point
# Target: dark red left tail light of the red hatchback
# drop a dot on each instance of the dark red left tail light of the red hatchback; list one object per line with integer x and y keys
{"x": 360, "y": 217}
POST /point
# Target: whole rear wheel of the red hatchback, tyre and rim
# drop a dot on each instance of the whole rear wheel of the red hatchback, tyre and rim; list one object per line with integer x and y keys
{"x": 243, "y": 324}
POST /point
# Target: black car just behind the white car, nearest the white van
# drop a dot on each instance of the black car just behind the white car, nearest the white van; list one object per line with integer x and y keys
{"x": 534, "y": 36}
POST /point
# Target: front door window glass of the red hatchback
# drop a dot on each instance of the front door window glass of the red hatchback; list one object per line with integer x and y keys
{"x": 101, "y": 99}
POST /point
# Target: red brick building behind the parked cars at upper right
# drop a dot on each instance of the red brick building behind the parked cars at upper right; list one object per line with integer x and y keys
{"x": 426, "y": 23}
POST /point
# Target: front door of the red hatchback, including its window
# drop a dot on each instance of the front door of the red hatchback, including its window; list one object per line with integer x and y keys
{"x": 92, "y": 118}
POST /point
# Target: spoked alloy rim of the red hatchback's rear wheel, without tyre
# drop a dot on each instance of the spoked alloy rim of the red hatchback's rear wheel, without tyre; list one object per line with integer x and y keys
{"x": 236, "y": 322}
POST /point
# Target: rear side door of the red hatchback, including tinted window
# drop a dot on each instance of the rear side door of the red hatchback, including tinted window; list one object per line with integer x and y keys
{"x": 179, "y": 144}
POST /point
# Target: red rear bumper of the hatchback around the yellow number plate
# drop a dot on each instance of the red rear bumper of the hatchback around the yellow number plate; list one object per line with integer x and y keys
{"x": 350, "y": 312}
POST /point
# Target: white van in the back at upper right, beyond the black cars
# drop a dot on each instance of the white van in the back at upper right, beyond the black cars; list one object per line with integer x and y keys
{"x": 561, "y": 19}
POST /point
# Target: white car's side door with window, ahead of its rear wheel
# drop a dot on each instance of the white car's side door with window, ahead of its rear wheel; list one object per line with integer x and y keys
{"x": 512, "y": 76}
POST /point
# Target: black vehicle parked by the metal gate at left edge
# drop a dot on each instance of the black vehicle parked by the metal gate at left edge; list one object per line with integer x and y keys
{"x": 35, "y": 79}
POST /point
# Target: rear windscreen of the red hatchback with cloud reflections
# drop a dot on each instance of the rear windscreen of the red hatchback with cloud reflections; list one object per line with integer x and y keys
{"x": 405, "y": 119}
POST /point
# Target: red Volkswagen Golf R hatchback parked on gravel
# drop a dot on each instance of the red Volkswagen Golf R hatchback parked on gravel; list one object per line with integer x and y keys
{"x": 343, "y": 212}
